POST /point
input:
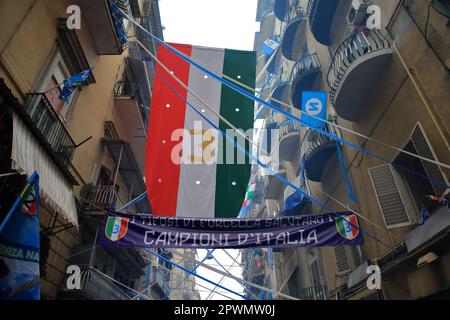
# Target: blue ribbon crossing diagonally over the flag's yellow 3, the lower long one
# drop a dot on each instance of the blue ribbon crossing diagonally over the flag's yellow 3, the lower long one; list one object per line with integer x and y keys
{"x": 285, "y": 181}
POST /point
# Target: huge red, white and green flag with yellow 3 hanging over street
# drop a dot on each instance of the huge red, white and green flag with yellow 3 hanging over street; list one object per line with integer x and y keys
{"x": 203, "y": 184}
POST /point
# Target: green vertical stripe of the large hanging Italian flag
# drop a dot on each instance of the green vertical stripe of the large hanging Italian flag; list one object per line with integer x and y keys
{"x": 229, "y": 197}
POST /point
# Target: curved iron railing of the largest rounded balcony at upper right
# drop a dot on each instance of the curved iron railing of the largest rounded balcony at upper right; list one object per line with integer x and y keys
{"x": 359, "y": 44}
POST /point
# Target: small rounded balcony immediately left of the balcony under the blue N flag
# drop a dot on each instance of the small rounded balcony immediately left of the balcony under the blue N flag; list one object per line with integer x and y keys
{"x": 289, "y": 132}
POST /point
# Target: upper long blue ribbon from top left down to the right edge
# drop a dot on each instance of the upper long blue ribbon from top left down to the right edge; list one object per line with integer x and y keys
{"x": 285, "y": 113}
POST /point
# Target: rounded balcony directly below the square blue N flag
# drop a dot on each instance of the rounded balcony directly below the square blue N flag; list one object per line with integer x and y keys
{"x": 317, "y": 149}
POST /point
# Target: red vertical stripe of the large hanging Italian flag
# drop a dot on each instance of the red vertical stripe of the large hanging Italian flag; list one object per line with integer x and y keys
{"x": 162, "y": 174}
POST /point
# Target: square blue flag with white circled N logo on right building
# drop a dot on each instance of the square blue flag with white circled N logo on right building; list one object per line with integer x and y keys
{"x": 314, "y": 106}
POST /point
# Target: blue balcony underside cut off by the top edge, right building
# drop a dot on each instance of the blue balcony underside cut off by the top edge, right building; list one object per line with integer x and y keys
{"x": 321, "y": 15}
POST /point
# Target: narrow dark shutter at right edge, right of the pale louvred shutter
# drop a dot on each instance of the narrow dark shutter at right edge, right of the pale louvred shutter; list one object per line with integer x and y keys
{"x": 424, "y": 149}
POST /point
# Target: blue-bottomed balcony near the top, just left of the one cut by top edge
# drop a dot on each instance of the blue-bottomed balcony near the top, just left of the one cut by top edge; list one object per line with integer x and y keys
{"x": 294, "y": 34}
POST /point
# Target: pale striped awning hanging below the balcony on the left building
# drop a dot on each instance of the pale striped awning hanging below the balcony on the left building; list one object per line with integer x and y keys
{"x": 28, "y": 156}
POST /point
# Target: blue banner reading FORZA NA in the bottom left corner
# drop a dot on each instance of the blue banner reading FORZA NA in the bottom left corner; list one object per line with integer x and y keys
{"x": 19, "y": 246}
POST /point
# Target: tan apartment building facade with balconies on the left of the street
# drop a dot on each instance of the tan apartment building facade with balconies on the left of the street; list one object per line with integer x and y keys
{"x": 88, "y": 151}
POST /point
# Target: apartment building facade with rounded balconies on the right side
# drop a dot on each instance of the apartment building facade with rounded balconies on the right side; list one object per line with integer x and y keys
{"x": 390, "y": 84}
